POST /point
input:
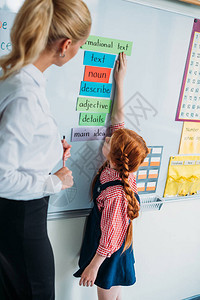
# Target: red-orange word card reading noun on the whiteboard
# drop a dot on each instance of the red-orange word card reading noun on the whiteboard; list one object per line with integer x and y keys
{"x": 97, "y": 74}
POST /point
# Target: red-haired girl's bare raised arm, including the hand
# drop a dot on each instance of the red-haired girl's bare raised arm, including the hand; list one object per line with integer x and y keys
{"x": 117, "y": 115}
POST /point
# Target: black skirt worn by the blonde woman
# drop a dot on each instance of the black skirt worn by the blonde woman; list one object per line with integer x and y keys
{"x": 26, "y": 256}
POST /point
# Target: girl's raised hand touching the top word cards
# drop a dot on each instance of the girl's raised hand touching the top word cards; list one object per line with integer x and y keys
{"x": 120, "y": 68}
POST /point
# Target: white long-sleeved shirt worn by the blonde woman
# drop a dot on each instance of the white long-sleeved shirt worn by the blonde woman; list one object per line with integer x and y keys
{"x": 30, "y": 144}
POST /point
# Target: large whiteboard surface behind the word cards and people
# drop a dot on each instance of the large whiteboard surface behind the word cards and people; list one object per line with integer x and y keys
{"x": 154, "y": 77}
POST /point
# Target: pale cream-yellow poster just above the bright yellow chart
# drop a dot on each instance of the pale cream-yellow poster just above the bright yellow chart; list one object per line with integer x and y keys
{"x": 190, "y": 138}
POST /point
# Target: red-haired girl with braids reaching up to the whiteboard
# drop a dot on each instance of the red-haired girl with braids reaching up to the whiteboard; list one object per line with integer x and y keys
{"x": 107, "y": 256}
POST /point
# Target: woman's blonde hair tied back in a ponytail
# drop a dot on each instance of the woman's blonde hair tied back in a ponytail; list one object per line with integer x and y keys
{"x": 38, "y": 24}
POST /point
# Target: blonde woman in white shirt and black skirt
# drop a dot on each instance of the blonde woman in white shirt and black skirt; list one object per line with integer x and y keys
{"x": 45, "y": 32}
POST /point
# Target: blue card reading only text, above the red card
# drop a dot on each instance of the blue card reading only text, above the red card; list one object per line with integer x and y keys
{"x": 98, "y": 59}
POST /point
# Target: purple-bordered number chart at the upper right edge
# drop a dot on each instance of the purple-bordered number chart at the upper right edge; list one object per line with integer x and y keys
{"x": 189, "y": 102}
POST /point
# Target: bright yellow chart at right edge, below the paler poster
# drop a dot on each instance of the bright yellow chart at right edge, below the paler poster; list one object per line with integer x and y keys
{"x": 183, "y": 176}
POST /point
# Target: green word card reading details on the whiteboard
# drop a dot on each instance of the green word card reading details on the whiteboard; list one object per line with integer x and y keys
{"x": 92, "y": 119}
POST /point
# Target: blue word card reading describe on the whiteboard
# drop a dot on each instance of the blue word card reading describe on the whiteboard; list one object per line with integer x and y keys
{"x": 95, "y": 89}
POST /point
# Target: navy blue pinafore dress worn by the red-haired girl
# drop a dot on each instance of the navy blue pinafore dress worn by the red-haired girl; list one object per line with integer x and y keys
{"x": 117, "y": 270}
